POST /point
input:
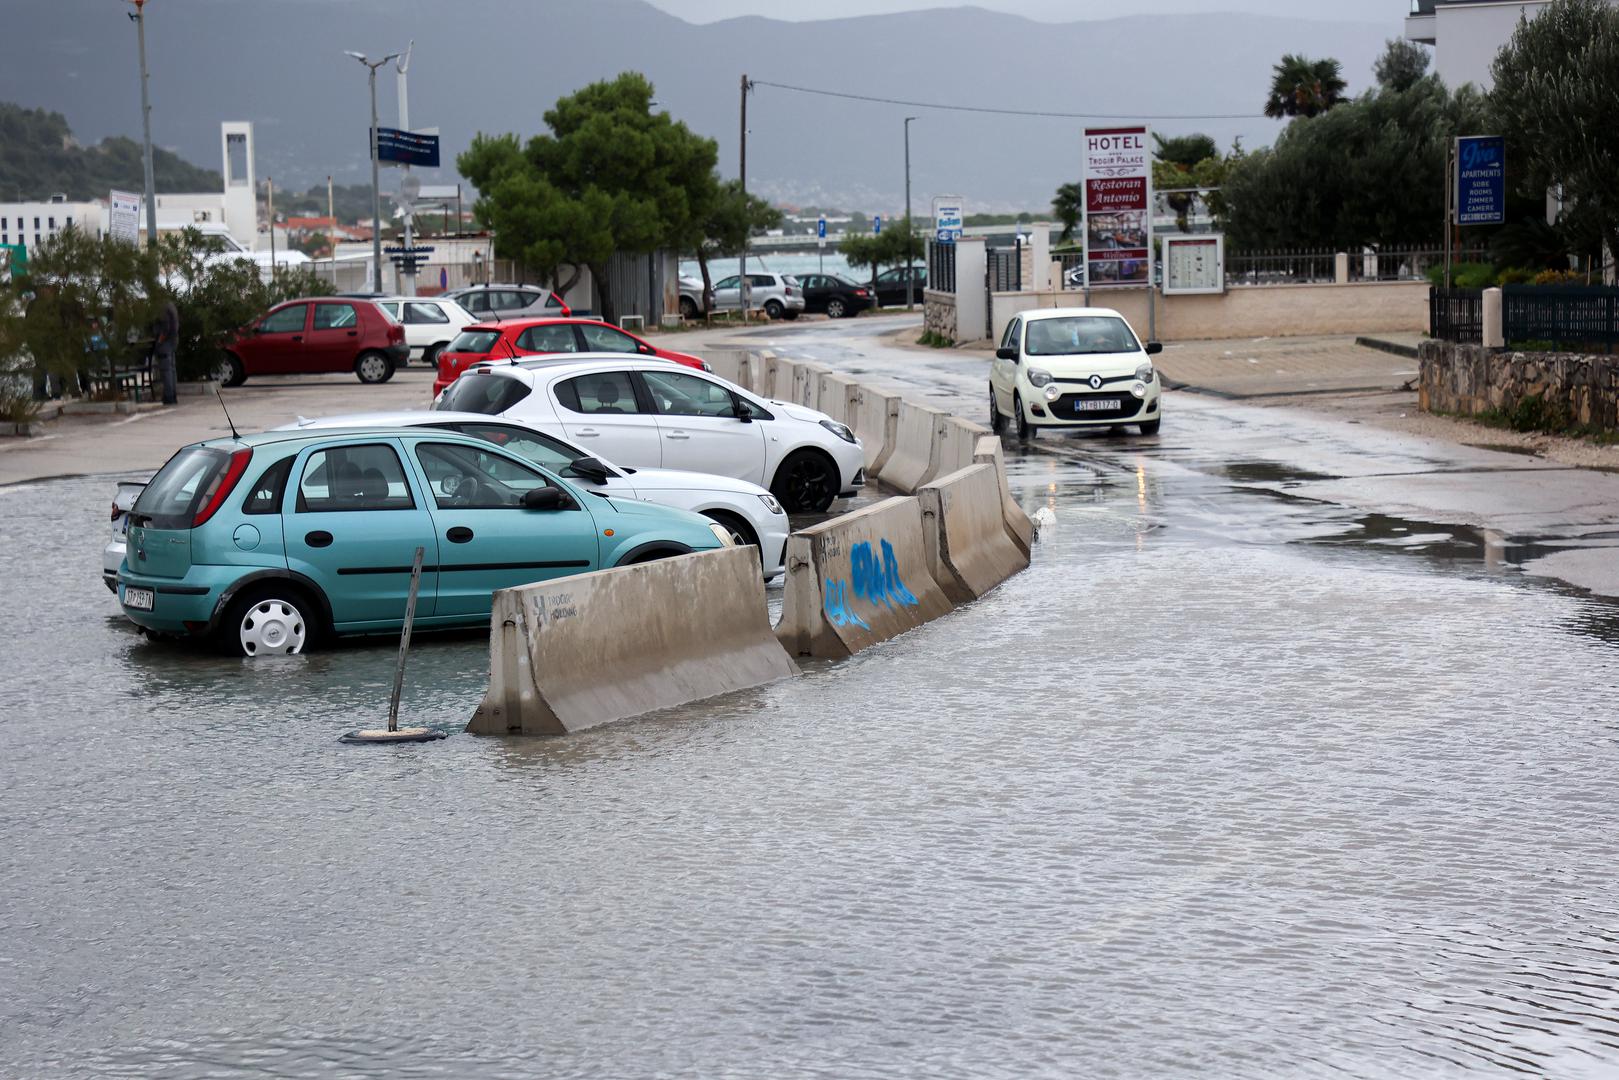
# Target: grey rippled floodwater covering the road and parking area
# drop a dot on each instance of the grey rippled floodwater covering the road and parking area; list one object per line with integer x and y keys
{"x": 1230, "y": 783}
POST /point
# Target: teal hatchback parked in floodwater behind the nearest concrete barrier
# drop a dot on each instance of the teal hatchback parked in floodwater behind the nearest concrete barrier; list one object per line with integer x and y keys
{"x": 271, "y": 543}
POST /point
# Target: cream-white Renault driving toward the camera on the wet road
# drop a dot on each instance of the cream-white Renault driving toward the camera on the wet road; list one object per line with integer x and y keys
{"x": 1074, "y": 368}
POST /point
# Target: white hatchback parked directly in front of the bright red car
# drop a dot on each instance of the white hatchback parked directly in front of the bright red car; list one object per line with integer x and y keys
{"x": 650, "y": 414}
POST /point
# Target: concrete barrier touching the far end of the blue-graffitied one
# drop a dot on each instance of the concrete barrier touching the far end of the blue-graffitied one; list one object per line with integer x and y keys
{"x": 969, "y": 546}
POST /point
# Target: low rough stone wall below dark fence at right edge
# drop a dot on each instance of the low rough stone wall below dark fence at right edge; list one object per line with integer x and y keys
{"x": 1472, "y": 380}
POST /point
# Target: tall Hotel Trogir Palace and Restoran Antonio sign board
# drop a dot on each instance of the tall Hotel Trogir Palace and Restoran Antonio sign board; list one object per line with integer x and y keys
{"x": 1118, "y": 208}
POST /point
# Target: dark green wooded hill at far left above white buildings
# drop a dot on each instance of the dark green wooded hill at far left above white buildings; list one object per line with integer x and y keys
{"x": 41, "y": 159}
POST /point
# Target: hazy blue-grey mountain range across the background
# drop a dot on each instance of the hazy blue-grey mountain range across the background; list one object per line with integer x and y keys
{"x": 496, "y": 66}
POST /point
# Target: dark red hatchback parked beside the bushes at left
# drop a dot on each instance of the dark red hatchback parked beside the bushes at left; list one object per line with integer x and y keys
{"x": 315, "y": 336}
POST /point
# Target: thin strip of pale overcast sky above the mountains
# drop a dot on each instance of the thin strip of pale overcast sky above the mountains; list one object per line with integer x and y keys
{"x": 1392, "y": 12}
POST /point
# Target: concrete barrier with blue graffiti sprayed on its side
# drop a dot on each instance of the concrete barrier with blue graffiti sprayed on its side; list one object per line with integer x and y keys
{"x": 857, "y": 580}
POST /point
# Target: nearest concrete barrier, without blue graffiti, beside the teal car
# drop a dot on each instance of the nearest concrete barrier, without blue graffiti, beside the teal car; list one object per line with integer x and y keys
{"x": 605, "y": 647}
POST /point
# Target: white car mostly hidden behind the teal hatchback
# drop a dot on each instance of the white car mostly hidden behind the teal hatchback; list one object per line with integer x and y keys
{"x": 750, "y": 514}
